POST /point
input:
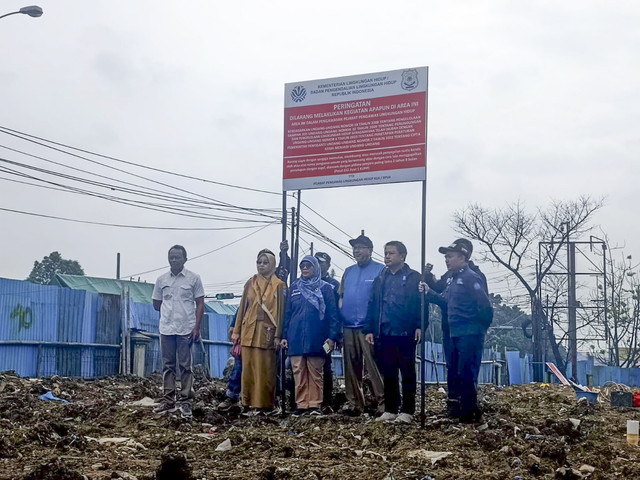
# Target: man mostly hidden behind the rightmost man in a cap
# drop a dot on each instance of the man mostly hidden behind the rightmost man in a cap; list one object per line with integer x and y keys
{"x": 453, "y": 407}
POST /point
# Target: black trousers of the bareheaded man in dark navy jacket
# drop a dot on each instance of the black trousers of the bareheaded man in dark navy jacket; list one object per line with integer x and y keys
{"x": 397, "y": 355}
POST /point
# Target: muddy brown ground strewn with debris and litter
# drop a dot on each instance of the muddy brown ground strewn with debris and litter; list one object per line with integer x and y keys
{"x": 531, "y": 431}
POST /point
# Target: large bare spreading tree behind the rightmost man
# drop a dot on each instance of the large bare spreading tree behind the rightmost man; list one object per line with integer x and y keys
{"x": 511, "y": 236}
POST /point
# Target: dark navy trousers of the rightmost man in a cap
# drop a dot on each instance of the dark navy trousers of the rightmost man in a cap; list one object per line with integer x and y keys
{"x": 466, "y": 359}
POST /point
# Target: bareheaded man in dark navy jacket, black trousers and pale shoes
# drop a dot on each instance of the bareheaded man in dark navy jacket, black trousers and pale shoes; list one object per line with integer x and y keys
{"x": 393, "y": 327}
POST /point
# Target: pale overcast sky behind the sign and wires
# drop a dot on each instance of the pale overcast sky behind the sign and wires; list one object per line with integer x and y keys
{"x": 527, "y": 100}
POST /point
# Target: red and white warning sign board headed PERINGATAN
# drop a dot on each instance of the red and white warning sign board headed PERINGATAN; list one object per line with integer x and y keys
{"x": 357, "y": 130}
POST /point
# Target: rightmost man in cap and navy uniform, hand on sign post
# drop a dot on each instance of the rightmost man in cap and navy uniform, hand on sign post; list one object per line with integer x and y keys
{"x": 469, "y": 313}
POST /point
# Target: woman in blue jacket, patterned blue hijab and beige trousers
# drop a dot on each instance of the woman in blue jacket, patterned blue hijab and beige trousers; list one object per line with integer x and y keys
{"x": 311, "y": 328}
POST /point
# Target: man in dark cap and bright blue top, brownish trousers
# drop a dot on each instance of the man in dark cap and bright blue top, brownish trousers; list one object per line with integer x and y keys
{"x": 355, "y": 290}
